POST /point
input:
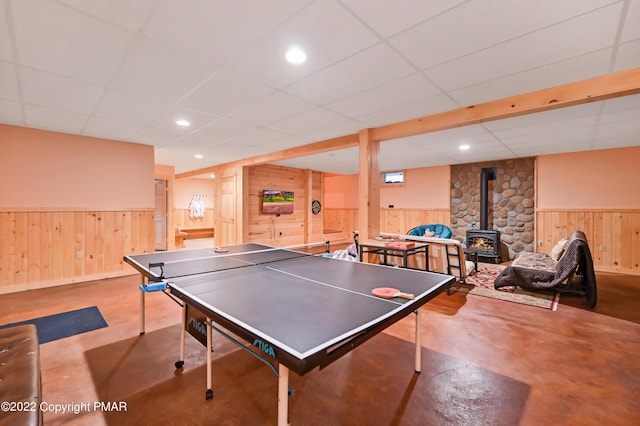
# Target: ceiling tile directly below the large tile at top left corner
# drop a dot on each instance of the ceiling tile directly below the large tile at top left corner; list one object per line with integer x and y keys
{"x": 52, "y": 91}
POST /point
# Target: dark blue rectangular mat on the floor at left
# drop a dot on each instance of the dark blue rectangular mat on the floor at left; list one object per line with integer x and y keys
{"x": 65, "y": 324}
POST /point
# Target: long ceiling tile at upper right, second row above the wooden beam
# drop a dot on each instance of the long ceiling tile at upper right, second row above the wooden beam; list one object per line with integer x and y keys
{"x": 589, "y": 32}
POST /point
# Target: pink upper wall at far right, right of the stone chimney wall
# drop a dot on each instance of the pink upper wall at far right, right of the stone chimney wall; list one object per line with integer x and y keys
{"x": 603, "y": 179}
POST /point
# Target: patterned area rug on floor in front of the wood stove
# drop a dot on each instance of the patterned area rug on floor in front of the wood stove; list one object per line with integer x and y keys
{"x": 481, "y": 284}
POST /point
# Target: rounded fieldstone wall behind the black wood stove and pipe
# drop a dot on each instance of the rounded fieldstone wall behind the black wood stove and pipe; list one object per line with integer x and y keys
{"x": 511, "y": 202}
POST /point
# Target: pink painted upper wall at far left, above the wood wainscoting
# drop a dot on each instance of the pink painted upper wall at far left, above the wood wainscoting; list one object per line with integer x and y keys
{"x": 48, "y": 170}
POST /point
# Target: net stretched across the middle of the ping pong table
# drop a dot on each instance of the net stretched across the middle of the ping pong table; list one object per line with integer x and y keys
{"x": 216, "y": 262}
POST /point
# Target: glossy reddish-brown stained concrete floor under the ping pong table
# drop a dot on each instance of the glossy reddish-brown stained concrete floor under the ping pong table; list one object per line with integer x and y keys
{"x": 484, "y": 361}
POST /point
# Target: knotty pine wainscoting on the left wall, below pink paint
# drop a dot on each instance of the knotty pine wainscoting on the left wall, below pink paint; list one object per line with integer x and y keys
{"x": 46, "y": 248}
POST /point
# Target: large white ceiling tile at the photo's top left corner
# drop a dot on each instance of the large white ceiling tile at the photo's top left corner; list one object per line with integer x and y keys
{"x": 55, "y": 45}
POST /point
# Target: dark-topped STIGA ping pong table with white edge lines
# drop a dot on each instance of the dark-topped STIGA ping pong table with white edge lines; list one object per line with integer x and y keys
{"x": 295, "y": 311}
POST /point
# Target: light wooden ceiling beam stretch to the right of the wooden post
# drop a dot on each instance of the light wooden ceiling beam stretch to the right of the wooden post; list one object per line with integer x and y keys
{"x": 609, "y": 86}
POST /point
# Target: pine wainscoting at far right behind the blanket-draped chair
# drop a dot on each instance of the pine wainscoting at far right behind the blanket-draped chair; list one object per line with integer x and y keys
{"x": 614, "y": 235}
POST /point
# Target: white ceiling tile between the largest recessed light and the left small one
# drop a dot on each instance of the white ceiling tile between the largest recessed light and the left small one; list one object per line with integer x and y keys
{"x": 225, "y": 92}
